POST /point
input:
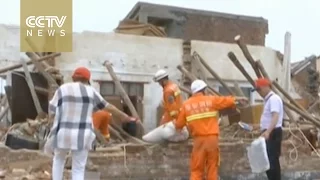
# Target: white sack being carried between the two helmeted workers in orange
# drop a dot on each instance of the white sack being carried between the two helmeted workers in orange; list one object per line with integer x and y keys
{"x": 166, "y": 132}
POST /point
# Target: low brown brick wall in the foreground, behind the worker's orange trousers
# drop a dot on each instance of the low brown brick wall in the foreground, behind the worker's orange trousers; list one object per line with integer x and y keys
{"x": 163, "y": 162}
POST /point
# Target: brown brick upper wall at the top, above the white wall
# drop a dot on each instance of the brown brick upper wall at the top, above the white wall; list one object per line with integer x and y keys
{"x": 206, "y": 28}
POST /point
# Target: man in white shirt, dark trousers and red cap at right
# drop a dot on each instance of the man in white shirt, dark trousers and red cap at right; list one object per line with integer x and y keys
{"x": 271, "y": 126}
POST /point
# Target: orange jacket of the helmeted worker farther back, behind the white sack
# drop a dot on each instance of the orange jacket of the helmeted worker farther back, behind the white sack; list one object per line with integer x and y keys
{"x": 172, "y": 102}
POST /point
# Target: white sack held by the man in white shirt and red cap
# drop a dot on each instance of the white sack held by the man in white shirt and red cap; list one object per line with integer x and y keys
{"x": 258, "y": 156}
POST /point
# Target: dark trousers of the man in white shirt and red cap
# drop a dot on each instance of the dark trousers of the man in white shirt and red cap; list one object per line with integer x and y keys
{"x": 274, "y": 152}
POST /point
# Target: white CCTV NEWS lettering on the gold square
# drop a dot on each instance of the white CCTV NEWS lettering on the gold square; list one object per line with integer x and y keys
{"x": 46, "y": 26}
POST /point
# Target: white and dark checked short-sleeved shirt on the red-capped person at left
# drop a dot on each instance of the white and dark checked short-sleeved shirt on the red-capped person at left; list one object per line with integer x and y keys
{"x": 72, "y": 106}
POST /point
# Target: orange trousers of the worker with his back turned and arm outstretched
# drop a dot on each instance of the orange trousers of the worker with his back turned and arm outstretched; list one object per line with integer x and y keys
{"x": 205, "y": 157}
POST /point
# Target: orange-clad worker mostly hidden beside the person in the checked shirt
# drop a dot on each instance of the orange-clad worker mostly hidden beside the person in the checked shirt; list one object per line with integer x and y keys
{"x": 101, "y": 120}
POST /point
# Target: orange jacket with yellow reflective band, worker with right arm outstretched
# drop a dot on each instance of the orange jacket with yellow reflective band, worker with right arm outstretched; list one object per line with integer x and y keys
{"x": 200, "y": 113}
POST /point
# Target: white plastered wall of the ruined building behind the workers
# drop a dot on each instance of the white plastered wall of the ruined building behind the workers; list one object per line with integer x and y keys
{"x": 136, "y": 58}
